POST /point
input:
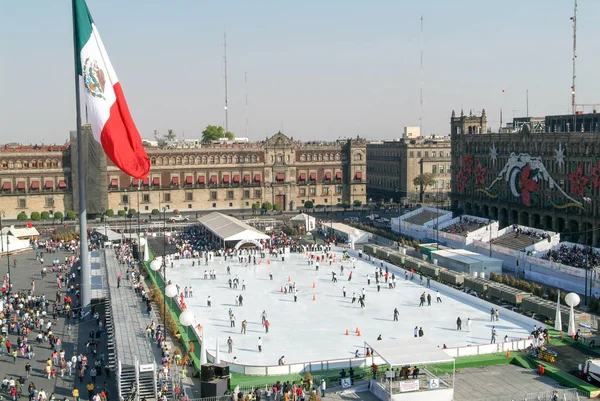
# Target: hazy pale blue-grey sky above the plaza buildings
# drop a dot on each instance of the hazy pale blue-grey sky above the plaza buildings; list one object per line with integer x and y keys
{"x": 321, "y": 69}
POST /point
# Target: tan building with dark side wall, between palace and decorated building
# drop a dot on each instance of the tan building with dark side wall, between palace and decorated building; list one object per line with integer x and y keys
{"x": 393, "y": 165}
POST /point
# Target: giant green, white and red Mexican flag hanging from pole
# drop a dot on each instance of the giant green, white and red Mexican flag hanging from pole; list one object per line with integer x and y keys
{"x": 107, "y": 109}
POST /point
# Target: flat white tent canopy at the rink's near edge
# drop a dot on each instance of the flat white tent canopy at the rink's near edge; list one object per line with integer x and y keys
{"x": 402, "y": 352}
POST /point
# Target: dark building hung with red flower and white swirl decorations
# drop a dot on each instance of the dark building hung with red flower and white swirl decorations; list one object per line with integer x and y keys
{"x": 541, "y": 175}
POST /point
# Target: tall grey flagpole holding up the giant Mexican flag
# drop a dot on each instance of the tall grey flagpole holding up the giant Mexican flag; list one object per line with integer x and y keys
{"x": 85, "y": 285}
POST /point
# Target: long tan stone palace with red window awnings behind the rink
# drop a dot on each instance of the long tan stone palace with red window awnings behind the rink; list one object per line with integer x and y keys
{"x": 227, "y": 176}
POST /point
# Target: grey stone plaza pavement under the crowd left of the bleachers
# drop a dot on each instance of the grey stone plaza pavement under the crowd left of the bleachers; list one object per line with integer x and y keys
{"x": 29, "y": 269}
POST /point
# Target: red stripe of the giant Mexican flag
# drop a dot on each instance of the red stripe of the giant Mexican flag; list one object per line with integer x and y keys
{"x": 121, "y": 140}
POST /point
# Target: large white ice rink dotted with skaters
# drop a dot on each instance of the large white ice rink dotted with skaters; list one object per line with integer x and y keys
{"x": 312, "y": 330}
